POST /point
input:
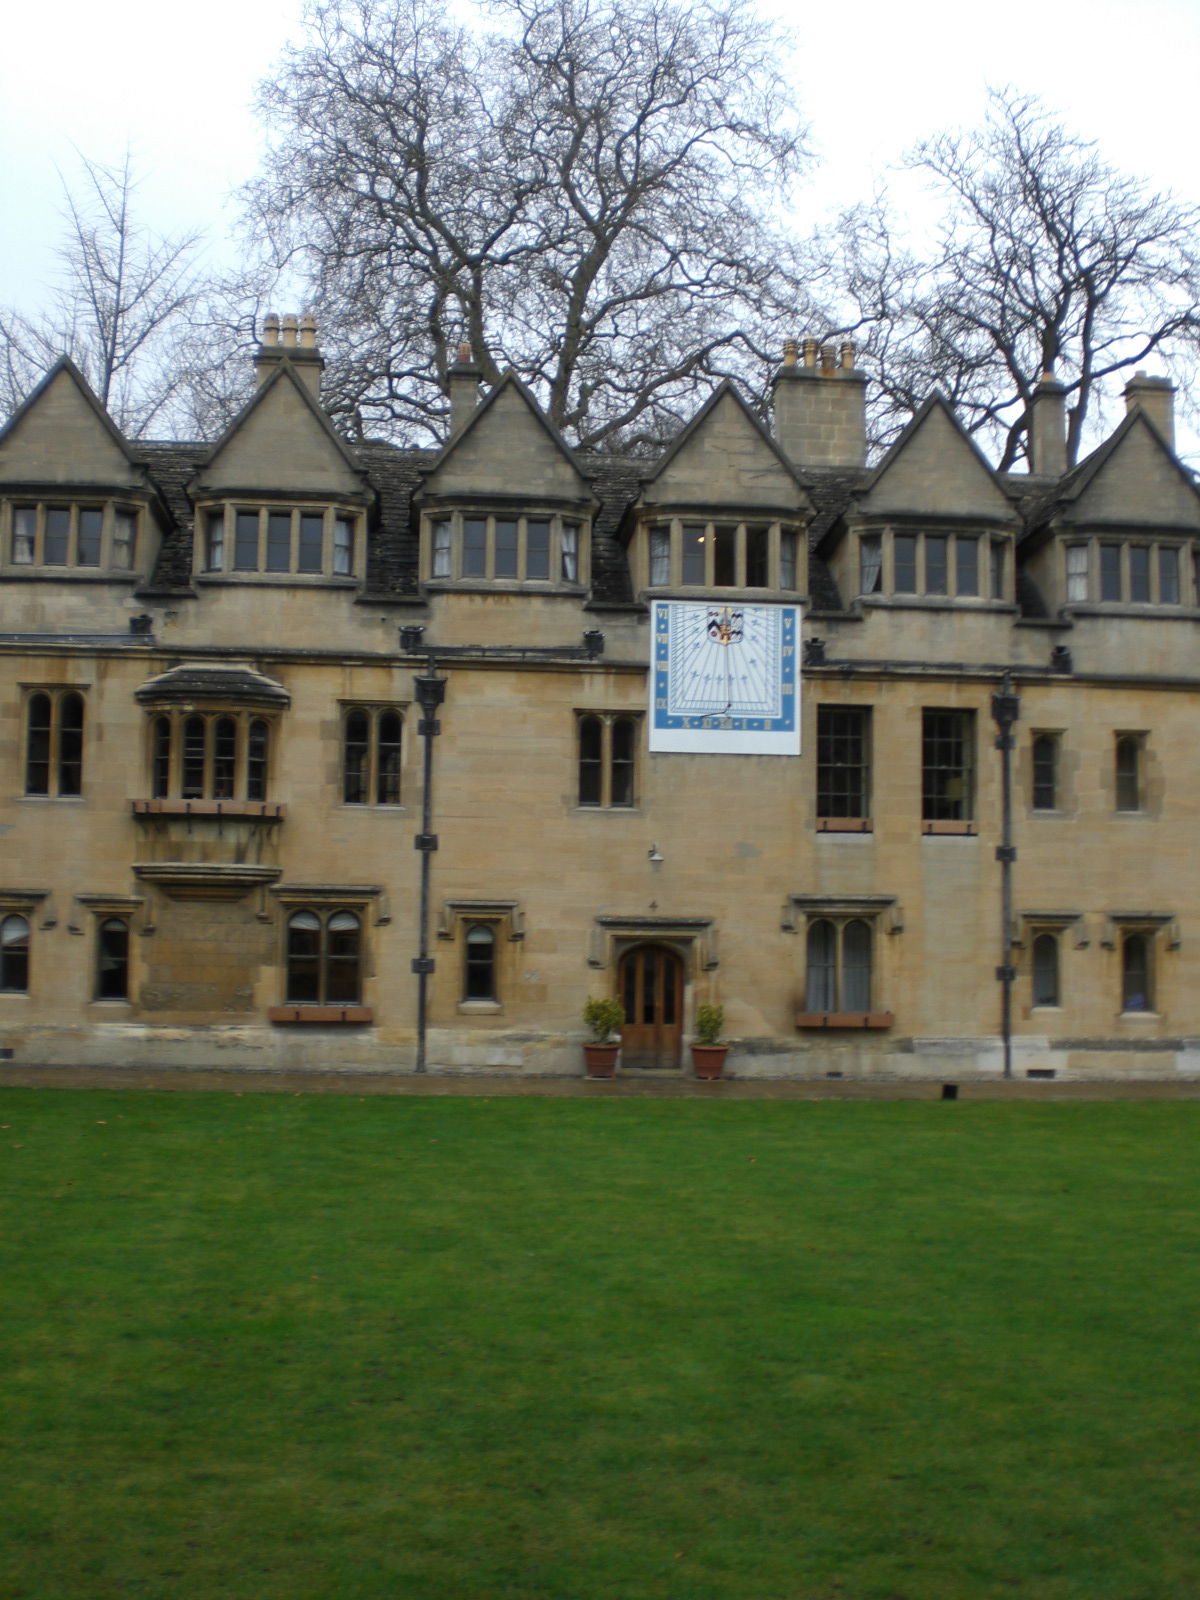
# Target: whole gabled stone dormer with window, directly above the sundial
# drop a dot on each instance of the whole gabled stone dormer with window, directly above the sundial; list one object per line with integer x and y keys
{"x": 724, "y": 508}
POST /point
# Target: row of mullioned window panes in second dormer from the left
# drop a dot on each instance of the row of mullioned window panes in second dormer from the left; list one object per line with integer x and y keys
{"x": 278, "y": 540}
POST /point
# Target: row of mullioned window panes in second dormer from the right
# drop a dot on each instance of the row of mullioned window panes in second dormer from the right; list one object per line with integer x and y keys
{"x": 934, "y": 564}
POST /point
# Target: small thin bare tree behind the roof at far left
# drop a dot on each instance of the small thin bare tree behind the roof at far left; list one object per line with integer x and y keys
{"x": 122, "y": 297}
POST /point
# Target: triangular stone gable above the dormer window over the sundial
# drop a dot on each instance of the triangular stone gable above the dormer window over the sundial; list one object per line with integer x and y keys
{"x": 726, "y": 457}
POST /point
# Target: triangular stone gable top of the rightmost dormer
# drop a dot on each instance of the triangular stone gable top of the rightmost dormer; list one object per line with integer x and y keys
{"x": 1134, "y": 479}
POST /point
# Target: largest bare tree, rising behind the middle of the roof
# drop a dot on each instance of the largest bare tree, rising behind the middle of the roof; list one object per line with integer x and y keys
{"x": 582, "y": 194}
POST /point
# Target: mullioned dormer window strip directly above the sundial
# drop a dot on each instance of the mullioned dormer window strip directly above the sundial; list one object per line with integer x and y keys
{"x": 689, "y": 554}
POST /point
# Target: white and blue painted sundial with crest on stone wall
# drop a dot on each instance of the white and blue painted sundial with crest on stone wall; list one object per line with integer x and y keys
{"x": 726, "y": 678}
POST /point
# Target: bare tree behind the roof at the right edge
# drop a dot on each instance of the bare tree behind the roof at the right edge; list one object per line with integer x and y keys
{"x": 1050, "y": 260}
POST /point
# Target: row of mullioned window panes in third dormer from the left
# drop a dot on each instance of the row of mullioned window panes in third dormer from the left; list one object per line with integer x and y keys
{"x": 505, "y": 546}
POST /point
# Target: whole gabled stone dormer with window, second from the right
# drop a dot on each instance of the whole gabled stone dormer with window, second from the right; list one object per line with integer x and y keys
{"x": 934, "y": 524}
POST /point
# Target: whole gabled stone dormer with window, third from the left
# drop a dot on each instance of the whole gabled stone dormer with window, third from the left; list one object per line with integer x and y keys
{"x": 506, "y": 505}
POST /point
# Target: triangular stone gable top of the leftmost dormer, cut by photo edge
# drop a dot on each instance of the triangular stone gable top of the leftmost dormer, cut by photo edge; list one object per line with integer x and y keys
{"x": 65, "y": 436}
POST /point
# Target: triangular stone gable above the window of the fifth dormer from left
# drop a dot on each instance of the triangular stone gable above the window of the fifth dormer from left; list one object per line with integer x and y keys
{"x": 935, "y": 470}
